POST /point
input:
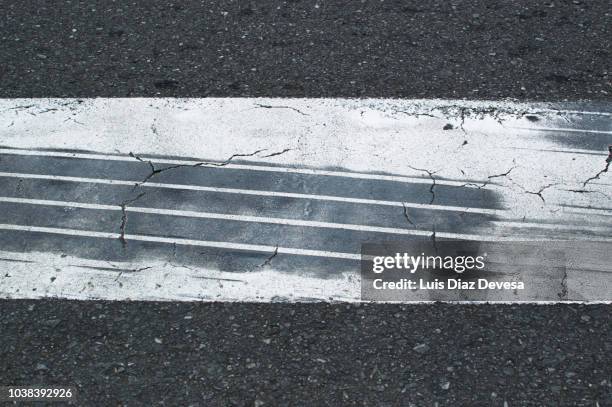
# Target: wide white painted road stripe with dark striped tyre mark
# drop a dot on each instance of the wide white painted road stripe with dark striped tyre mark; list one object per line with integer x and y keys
{"x": 264, "y": 188}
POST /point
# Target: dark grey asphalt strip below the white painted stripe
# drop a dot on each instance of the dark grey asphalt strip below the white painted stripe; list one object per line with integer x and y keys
{"x": 278, "y": 354}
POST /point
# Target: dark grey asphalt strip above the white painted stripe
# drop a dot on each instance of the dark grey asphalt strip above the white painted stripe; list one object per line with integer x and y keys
{"x": 548, "y": 50}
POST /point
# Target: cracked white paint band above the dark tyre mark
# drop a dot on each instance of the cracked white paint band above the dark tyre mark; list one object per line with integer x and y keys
{"x": 388, "y": 136}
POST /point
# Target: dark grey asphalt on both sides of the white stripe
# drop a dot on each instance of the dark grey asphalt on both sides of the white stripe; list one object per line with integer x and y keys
{"x": 309, "y": 354}
